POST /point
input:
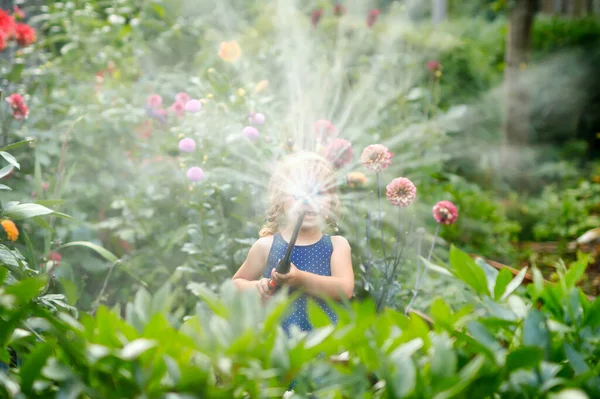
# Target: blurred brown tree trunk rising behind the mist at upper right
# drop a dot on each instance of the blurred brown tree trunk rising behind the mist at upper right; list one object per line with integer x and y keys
{"x": 516, "y": 100}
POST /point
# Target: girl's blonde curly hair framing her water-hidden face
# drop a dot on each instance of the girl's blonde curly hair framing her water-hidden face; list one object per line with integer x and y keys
{"x": 299, "y": 165}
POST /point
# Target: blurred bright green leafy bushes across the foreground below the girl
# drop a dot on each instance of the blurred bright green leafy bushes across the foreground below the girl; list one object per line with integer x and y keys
{"x": 541, "y": 341}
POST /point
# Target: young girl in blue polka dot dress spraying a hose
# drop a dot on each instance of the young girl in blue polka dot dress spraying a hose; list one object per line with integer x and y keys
{"x": 321, "y": 264}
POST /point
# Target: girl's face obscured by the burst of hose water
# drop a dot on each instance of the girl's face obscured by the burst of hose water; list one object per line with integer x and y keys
{"x": 312, "y": 200}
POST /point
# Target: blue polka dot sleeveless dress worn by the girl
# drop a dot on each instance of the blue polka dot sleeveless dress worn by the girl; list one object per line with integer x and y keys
{"x": 314, "y": 258}
